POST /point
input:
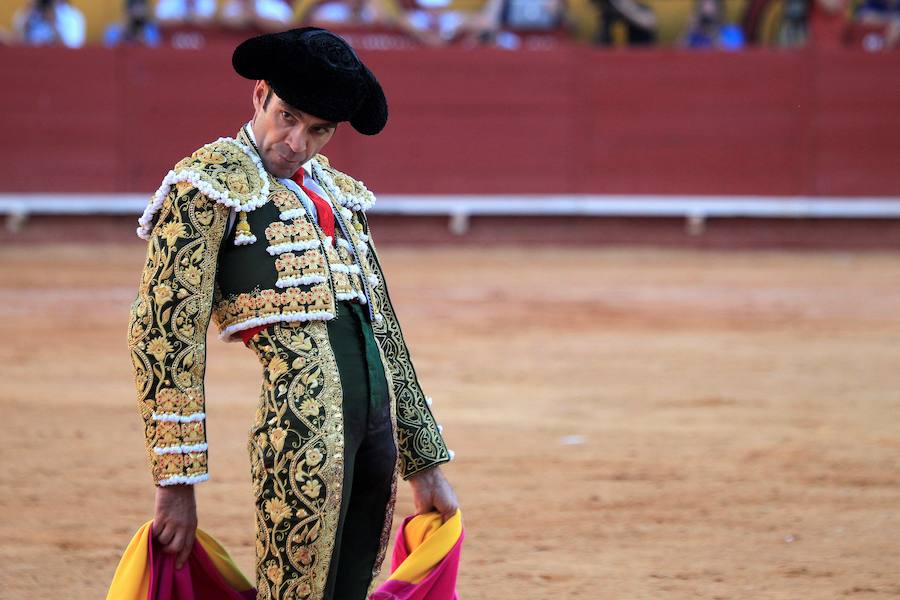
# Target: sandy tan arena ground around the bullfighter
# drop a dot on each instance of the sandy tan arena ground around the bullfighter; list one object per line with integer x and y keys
{"x": 628, "y": 424}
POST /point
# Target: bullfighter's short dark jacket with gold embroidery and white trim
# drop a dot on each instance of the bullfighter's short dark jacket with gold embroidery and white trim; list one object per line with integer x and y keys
{"x": 275, "y": 266}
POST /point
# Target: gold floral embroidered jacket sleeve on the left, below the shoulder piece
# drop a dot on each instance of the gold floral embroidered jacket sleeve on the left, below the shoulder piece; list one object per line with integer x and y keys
{"x": 167, "y": 332}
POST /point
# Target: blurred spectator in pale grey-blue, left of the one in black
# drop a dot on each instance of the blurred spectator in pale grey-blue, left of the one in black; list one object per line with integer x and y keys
{"x": 503, "y": 22}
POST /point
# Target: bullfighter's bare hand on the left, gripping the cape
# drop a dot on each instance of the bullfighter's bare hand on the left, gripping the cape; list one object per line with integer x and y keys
{"x": 175, "y": 520}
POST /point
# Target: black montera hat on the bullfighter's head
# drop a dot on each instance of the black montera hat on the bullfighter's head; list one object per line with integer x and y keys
{"x": 317, "y": 72}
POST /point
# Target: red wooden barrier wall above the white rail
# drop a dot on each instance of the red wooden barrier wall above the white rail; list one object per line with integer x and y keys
{"x": 573, "y": 120}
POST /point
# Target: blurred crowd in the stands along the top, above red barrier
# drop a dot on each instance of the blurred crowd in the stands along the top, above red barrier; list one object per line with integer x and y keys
{"x": 710, "y": 24}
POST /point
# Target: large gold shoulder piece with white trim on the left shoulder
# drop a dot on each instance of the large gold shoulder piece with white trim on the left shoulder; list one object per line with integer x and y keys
{"x": 226, "y": 171}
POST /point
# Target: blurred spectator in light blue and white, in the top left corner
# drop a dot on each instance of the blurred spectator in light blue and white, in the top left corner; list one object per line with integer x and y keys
{"x": 49, "y": 22}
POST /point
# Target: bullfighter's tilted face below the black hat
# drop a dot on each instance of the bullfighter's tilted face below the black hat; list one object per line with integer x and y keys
{"x": 285, "y": 136}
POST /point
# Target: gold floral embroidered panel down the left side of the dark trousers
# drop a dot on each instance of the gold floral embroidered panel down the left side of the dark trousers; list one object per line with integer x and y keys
{"x": 296, "y": 455}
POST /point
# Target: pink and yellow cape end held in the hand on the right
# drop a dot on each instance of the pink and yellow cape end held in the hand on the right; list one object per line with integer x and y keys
{"x": 425, "y": 560}
